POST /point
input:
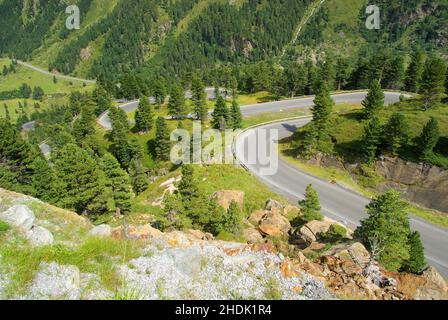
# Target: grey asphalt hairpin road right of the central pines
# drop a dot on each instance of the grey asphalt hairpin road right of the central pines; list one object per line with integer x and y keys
{"x": 337, "y": 202}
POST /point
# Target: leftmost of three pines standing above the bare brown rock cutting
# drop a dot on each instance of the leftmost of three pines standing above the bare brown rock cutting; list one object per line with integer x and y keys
{"x": 371, "y": 139}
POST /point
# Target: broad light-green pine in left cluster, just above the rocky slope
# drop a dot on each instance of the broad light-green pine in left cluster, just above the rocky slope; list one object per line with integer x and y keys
{"x": 85, "y": 185}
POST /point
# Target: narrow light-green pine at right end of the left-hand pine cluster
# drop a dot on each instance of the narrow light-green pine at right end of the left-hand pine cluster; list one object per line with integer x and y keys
{"x": 119, "y": 182}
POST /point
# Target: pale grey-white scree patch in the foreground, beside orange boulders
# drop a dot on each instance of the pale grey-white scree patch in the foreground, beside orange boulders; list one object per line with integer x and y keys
{"x": 216, "y": 270}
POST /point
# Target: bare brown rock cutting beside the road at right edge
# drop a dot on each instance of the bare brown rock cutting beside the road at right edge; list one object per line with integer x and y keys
{"x": 424, "y": 184}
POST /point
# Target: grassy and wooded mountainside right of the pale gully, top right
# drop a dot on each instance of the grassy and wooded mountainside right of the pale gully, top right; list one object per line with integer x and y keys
{"x": 340, "y": 25}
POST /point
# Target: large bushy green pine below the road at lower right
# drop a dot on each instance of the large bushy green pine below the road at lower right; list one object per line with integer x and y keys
{"x": 386, "y": 230}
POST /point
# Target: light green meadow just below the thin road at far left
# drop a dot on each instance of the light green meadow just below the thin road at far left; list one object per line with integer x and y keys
{"x": 34, "y": 78}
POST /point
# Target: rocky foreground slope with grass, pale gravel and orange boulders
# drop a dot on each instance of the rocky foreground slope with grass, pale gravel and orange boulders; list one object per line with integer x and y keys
{"x": 49, "y": 253}
